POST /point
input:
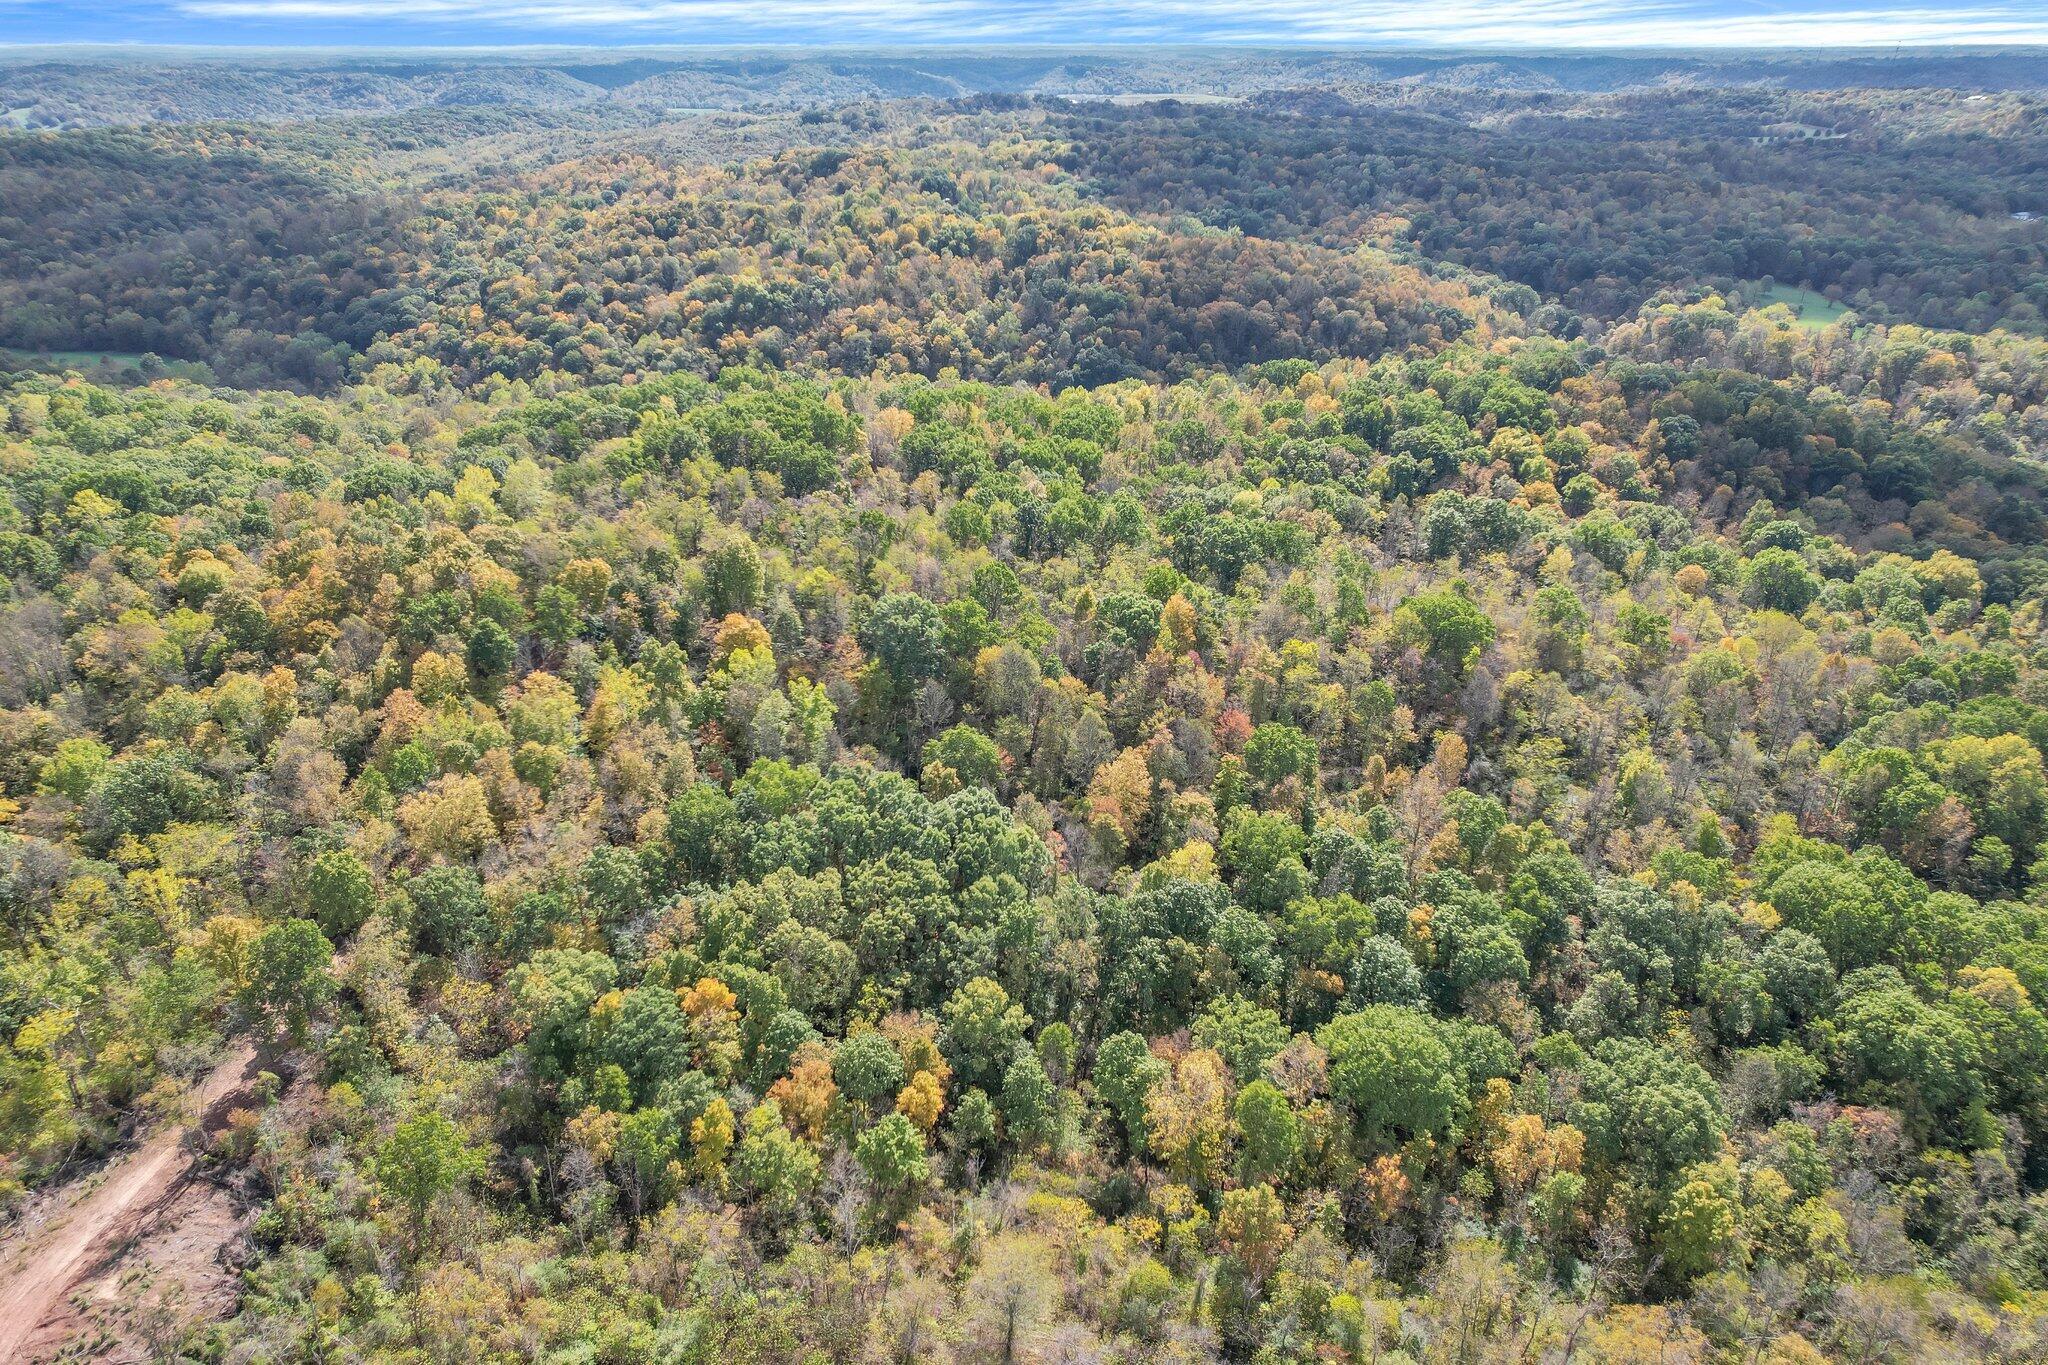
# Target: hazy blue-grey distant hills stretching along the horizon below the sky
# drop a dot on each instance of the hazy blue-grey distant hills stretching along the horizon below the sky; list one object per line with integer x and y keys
{"x": 44, "y": 89}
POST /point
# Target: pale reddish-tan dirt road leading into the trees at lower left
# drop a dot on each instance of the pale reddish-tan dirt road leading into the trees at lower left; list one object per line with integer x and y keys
{"x": 79, "y": 1241}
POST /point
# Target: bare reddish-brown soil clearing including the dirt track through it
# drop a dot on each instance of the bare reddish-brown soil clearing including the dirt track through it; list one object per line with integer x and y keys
{"x": 124, "y": 1258}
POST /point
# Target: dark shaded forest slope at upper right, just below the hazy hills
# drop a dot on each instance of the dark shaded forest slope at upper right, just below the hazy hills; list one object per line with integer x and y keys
{"x": 1603, "y": 206}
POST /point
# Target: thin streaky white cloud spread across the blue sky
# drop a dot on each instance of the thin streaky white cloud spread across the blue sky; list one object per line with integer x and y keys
{"x": 1455, "y": 24}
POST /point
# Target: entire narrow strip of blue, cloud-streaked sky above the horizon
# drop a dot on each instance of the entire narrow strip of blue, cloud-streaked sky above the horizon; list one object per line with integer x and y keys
{"x": 1375, "y": 24}
